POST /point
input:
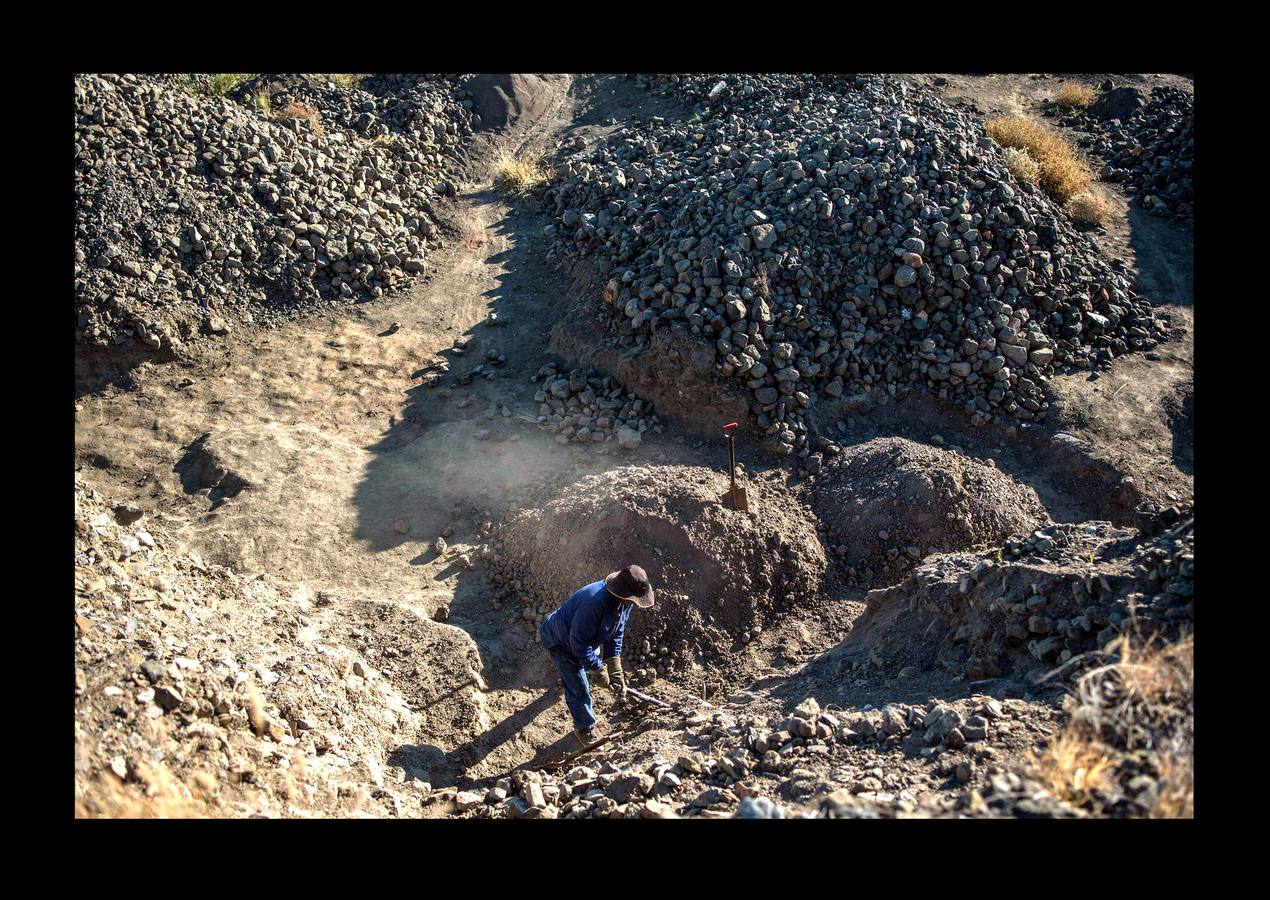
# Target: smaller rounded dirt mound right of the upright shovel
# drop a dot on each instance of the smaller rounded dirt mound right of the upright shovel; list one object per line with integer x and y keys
{"x": 891, "y": 502}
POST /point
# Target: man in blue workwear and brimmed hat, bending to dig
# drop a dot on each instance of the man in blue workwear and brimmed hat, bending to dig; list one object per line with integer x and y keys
{"x": 592, "y": 619}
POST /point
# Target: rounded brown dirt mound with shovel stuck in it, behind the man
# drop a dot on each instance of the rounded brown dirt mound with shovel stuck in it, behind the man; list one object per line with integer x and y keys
{"x": 719, "y": 574}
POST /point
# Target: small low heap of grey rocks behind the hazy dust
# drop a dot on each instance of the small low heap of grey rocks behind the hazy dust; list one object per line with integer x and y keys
{"x": 582, "y": 407}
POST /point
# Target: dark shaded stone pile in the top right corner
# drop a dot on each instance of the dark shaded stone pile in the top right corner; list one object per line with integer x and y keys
{"x": 1149, "y": 147}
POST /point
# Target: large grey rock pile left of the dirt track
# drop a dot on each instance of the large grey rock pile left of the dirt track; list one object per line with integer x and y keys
{"x": 197, "y": 213}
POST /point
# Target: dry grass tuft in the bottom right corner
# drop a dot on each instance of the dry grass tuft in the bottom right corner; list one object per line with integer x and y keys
{"x": 1142, "y": 701}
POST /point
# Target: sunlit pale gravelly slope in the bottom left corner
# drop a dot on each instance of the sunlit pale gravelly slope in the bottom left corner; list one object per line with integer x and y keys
{"x": 206, "y": 692}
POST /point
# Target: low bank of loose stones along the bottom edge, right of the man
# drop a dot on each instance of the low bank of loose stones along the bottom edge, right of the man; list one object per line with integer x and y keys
{"x": 751, "y": 760}
